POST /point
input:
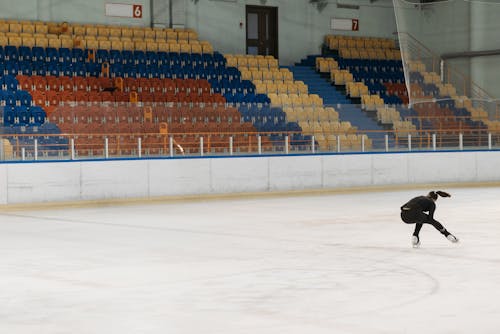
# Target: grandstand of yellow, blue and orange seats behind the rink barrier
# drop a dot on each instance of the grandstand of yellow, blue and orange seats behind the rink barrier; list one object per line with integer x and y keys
{"x": 95, "y": 90}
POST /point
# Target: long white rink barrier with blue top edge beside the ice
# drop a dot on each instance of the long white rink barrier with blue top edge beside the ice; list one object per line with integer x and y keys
{"x": 122, "y": 179}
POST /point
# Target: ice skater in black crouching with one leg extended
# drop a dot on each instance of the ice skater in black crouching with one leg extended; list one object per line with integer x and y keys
{"x": 414, "y": 212}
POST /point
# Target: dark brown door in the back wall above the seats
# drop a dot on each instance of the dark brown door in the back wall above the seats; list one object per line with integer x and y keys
{"x": 262, "y": 30}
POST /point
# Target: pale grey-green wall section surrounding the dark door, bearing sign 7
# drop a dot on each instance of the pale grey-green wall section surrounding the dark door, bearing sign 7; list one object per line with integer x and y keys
{"x": 301, "y": 27}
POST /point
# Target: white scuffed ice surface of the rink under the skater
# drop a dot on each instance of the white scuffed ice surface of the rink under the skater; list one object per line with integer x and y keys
{"x": 335, "y": 263}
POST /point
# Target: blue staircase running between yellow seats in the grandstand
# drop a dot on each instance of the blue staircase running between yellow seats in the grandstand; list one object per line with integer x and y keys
{"x": 331, "y": 97}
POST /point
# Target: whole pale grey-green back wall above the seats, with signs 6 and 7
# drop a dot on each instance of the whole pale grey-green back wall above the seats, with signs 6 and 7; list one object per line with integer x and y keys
{"x": 301, "y": 27}
